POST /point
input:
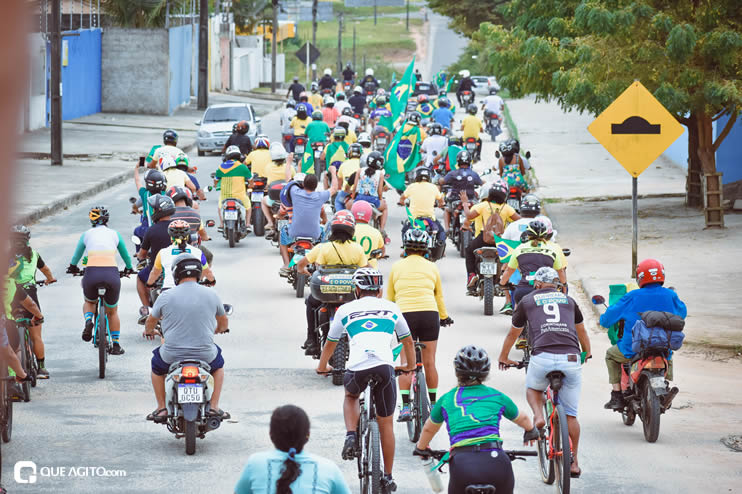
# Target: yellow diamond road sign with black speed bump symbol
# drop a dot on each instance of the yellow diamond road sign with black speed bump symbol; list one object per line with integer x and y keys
{"x": 636, "y": 129}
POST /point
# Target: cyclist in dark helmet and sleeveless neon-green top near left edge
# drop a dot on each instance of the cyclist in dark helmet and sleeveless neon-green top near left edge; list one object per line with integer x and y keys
{"x": 20, "y": 236}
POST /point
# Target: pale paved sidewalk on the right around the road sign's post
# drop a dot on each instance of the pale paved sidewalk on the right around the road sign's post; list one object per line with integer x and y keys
{"x": 587, "y": 195}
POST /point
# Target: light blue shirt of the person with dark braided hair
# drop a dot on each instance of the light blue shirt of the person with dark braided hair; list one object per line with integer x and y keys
{"x": 318, "y": 475}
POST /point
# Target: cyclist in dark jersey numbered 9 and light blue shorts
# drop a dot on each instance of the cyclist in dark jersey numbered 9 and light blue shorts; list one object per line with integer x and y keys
{"x": 556, "y": 333}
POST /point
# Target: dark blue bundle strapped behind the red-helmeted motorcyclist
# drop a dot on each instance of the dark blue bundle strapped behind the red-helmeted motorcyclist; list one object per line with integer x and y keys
{"x": 657, "y": 330}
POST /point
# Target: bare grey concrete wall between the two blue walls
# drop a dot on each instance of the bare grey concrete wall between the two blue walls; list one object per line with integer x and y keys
{"x": 135, "y": 71}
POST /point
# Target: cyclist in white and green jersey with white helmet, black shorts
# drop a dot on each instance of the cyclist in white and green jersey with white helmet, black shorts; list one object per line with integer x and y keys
{"x": 370, "y": 355}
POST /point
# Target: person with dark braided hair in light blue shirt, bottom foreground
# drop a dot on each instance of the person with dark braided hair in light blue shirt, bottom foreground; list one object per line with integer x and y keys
{"x": 289, "y": 468}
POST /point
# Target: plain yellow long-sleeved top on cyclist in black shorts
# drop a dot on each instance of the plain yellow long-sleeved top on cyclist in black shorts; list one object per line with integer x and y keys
{"x": 415, "y": 285}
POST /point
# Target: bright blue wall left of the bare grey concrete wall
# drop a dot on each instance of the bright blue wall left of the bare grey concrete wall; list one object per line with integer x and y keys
{"x": 81, "y": 77}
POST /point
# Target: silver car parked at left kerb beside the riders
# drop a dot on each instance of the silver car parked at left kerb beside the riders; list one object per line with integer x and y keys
{"x": 216, "y": 125}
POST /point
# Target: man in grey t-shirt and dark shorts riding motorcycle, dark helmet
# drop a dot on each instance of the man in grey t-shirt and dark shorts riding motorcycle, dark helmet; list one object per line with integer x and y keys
{"x": 190, "y": 315}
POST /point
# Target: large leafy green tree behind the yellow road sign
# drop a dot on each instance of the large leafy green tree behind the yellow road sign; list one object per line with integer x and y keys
{"x": 583, "y": 54}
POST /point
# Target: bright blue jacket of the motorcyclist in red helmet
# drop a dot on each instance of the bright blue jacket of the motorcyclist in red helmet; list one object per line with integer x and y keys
{"x": 651, "y": 297}
